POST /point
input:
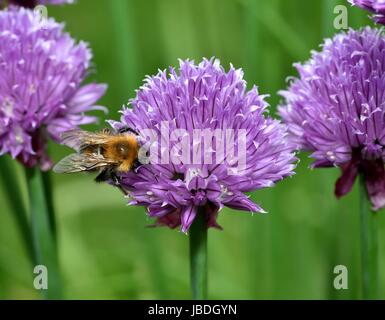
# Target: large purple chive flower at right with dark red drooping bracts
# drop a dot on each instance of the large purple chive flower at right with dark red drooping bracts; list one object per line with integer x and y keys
{"x": 336, "y": 109}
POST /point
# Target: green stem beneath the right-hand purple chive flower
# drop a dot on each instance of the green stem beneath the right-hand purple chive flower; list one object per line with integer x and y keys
{"x": 369, "y": 245}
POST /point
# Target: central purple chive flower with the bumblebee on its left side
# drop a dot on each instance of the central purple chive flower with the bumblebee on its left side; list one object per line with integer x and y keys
{"x": 204, "y": 96}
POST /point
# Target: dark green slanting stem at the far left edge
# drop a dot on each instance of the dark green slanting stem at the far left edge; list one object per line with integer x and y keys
{"x": 13, "y": 195}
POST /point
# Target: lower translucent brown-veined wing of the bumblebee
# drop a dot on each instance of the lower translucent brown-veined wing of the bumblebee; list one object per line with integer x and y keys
{"x": 77, "y": 162}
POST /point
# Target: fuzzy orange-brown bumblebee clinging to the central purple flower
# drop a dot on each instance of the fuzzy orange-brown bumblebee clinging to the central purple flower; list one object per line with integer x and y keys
{"x": 105, "y": 152}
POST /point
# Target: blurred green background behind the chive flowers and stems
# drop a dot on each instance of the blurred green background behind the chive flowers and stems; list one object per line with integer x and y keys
{"x": 105, "y": 250}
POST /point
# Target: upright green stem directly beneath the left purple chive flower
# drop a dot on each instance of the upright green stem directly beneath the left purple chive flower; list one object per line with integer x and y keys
{"x": 42, "y": 233}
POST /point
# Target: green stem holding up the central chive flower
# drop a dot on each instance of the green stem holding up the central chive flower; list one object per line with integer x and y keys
{"x": 198, "y": 256}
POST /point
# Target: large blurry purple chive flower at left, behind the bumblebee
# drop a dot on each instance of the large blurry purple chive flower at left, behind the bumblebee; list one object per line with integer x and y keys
{"x": 41, "y": 96}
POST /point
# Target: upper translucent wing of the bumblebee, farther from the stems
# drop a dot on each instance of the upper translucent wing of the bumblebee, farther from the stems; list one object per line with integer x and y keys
{"x": 79, "y": 139}
